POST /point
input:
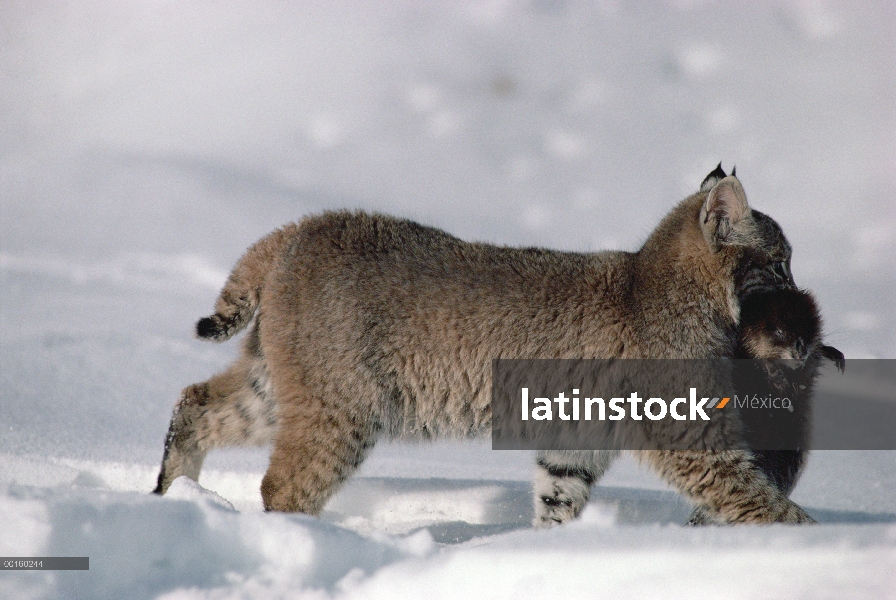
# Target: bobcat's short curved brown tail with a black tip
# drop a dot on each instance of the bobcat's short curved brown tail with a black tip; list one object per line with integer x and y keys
{"x": 239, "y": 299}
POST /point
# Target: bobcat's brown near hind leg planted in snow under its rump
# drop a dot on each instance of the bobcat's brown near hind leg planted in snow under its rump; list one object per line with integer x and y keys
{"x": 316, "y": 449}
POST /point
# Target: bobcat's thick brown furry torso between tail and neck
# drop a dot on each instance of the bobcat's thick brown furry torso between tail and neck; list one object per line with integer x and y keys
{"x": 407, "y": 319}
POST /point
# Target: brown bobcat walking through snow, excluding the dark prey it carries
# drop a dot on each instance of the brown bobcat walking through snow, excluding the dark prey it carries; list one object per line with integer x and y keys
{"x": 366, "y": 326}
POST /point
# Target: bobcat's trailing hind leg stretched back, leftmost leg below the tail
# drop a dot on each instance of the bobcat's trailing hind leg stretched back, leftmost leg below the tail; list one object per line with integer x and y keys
{"x": 233, "y": 408}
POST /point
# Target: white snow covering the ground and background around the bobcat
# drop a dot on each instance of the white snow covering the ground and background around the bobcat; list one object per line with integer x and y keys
{"x": 145, "y": 145}
